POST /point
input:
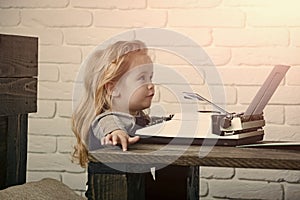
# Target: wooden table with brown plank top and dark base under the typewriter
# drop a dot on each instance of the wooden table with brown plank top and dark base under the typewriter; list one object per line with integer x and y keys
{"x": 183, "y": 164}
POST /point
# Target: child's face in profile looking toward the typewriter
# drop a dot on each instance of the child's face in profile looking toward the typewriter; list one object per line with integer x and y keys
{"x": 135, "y": 87}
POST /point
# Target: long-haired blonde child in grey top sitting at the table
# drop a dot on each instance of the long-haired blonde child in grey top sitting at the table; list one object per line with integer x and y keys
{"x": 118, "y": 87}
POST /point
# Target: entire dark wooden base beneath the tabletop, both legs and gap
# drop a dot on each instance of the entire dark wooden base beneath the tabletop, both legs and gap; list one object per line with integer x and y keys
{"x": 172, "y": 182}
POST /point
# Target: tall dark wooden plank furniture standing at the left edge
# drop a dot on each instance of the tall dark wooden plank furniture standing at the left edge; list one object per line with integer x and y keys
{"x": 18, "y": 97}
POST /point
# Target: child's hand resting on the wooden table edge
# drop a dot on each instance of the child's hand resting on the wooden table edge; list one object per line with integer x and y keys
{"x": 119, "y": 137}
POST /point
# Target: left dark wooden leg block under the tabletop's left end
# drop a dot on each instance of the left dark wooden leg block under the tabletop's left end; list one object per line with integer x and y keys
{"x": 110, "y": 184}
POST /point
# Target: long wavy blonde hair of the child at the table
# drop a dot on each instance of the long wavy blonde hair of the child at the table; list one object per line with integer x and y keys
{"x": 101, "y": 67}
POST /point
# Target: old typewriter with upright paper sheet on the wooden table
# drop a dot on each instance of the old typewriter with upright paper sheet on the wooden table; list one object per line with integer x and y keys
{"x": 216, "y": 127}
